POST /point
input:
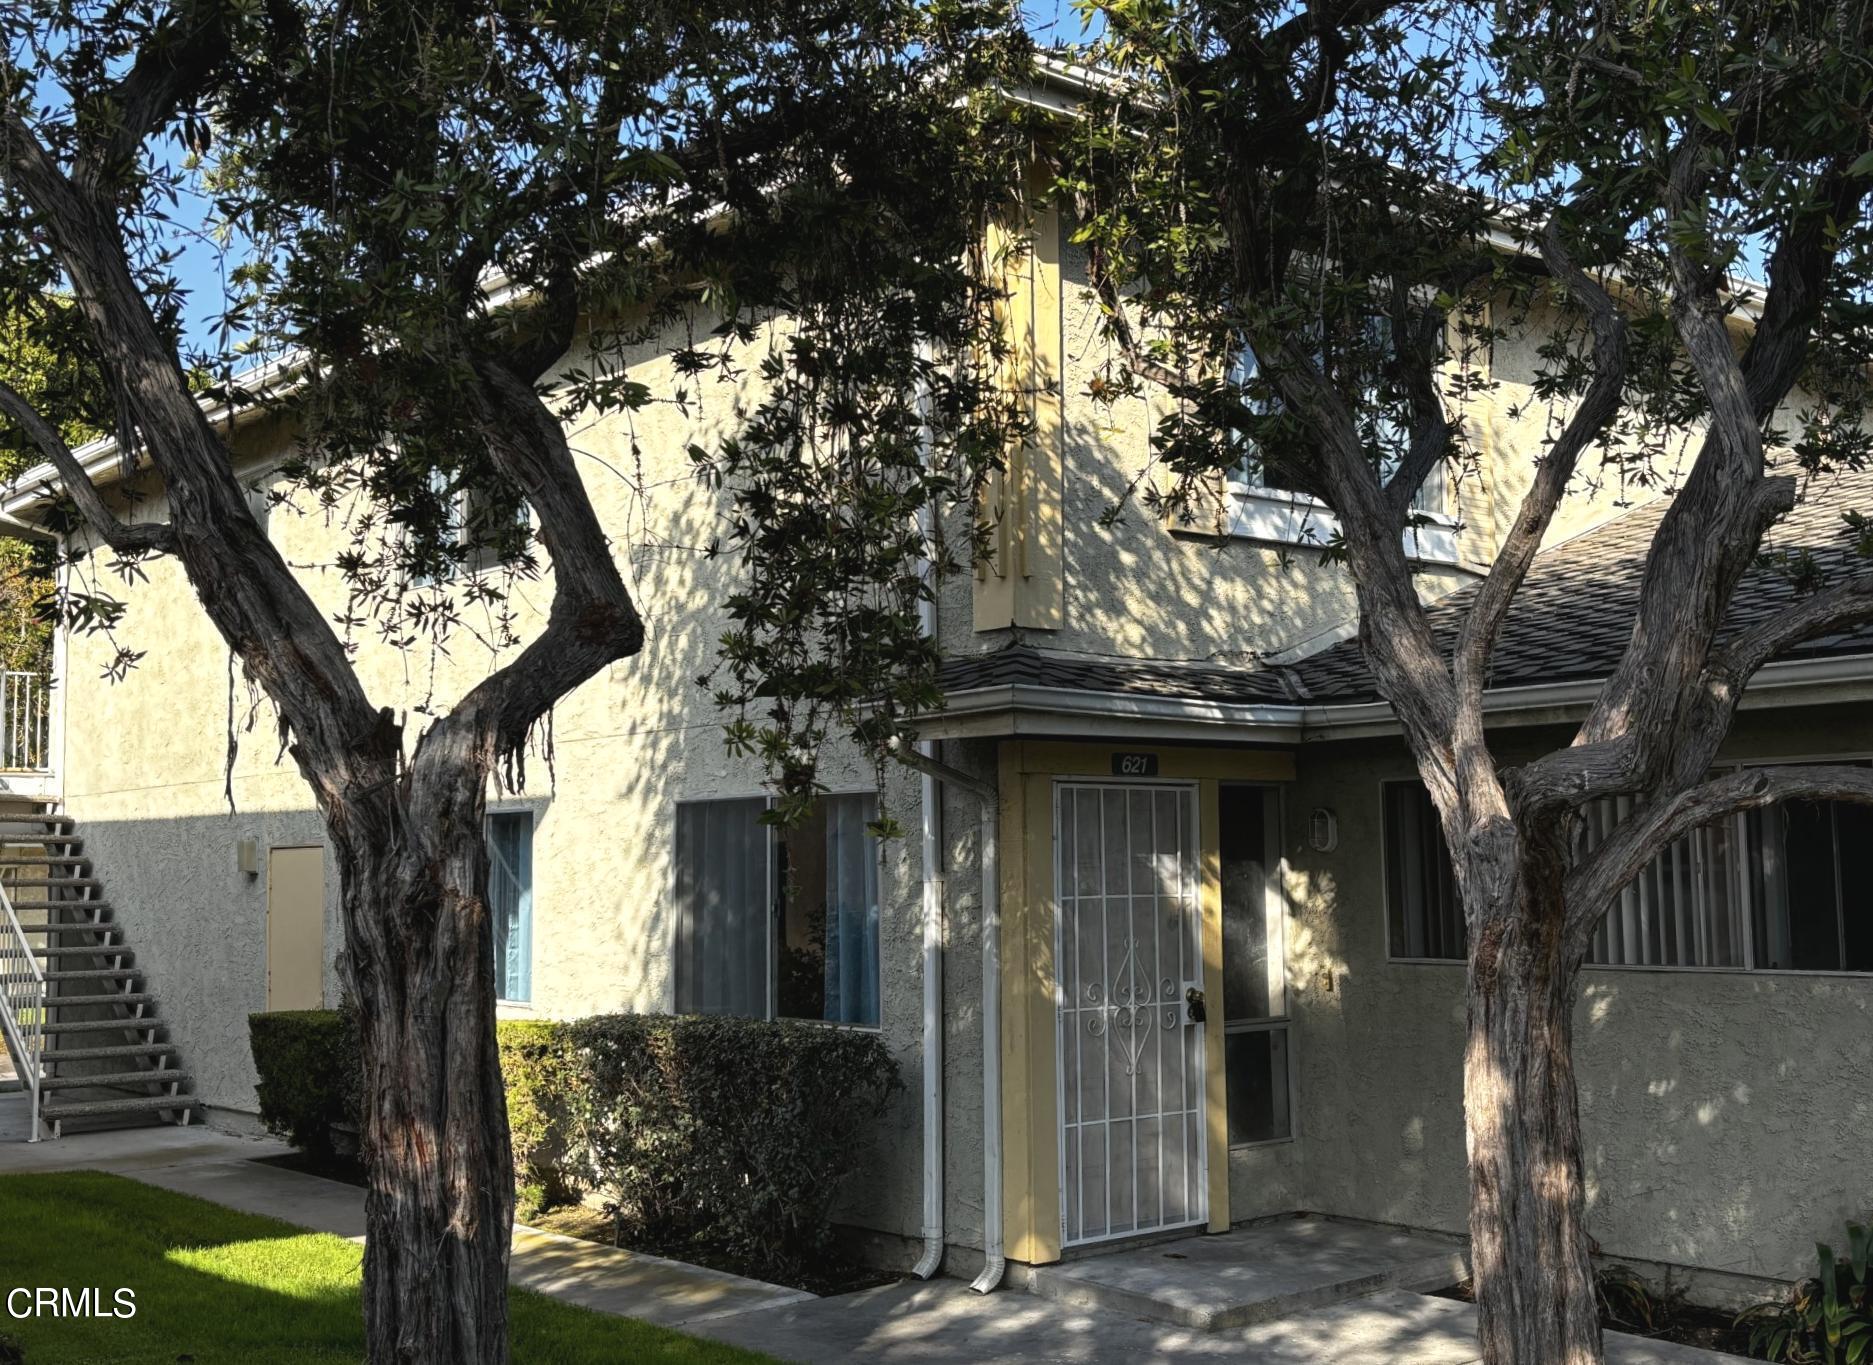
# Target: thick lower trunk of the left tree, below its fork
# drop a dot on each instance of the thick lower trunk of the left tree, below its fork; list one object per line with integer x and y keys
{"x": 439, "y": 1212}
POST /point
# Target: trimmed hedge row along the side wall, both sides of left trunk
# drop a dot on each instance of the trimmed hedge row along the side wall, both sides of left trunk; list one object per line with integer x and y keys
{"x": 728, "y": 1134}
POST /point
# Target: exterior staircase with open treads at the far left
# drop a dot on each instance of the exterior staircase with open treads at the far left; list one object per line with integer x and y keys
{"x": 81, "y": 1027}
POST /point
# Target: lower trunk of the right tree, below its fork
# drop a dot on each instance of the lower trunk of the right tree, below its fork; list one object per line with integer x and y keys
{"x": 1529, "y": 1248}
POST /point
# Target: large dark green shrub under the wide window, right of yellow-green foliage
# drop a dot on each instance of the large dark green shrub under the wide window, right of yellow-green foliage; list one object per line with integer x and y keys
{"x": 728, "y": 1132}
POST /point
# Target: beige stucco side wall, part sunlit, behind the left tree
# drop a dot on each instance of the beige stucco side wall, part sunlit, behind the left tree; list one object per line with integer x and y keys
{"x": 145, "y": 772}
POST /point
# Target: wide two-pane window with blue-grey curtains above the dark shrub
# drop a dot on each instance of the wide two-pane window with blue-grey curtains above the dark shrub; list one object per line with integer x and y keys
{"x": 778, "y": 924}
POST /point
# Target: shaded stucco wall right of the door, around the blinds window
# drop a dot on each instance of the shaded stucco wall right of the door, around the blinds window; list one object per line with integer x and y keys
{"x": 1724, "y": 1119}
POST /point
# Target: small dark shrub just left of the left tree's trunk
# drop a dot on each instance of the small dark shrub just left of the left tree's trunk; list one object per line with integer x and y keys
{"x": 312, "y": 1076}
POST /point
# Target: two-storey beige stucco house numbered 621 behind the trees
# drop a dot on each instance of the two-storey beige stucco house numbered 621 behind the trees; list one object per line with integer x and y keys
{"x": 1173, "y": 943}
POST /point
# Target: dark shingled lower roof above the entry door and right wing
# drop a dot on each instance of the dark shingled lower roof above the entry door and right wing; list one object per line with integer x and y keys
{"x": 1571, "y": 624}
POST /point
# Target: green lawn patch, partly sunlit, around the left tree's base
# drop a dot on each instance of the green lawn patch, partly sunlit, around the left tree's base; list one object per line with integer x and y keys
{"x": 231, "y": 1289}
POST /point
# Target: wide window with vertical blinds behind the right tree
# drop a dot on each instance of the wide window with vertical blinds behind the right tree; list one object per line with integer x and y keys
{"x": 1784, "y": 888}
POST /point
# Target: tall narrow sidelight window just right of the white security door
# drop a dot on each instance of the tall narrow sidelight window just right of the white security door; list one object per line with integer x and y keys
{"x": 1256, "y": 1023}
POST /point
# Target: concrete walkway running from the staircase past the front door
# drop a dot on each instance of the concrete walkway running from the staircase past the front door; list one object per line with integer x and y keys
{"x": 941, "y": 1323}
